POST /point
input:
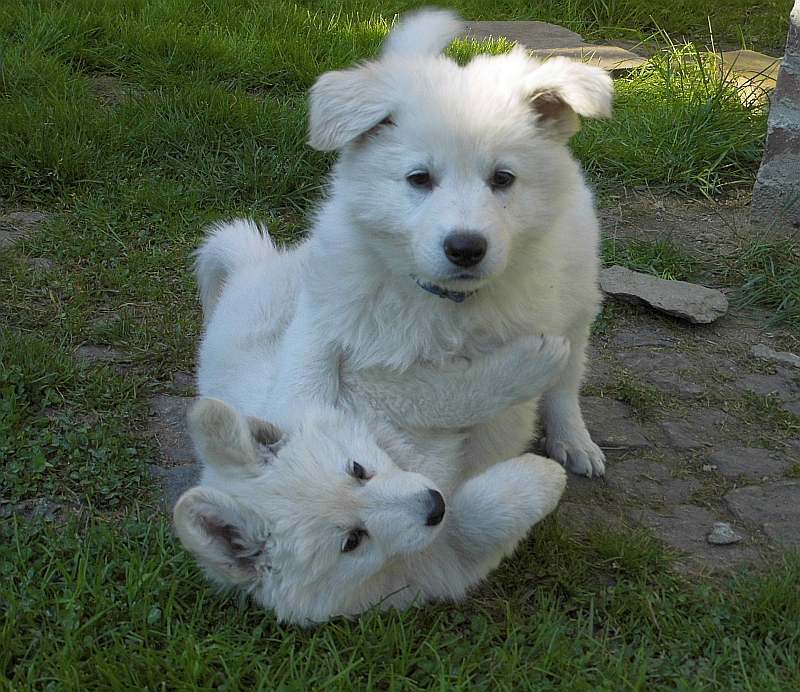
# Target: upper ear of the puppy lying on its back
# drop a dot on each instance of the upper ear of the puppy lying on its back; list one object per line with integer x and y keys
{"x": 227, "y": 440}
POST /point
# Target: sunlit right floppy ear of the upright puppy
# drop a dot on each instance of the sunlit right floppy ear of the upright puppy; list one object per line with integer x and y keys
{"x": 560, "y": 90}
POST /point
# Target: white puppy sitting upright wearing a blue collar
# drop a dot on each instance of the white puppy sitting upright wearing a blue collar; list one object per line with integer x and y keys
{"x": 457, "y": 220}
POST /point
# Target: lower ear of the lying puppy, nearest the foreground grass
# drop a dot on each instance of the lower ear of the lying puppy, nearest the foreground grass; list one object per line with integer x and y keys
{"x": 227, "y": 539}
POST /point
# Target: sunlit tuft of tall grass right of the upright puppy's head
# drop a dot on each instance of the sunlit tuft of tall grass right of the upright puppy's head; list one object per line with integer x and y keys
{"x": 677, "y": 125}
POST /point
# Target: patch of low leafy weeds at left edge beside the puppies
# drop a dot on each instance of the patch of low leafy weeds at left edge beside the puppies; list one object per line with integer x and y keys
{"x": 63, "y": 429}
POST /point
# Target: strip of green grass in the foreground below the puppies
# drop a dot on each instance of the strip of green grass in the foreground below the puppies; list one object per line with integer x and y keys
{"x": 119, "y": 606}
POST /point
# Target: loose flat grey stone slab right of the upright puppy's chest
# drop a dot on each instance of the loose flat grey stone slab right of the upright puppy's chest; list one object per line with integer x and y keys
{"x": 692, "y": 302}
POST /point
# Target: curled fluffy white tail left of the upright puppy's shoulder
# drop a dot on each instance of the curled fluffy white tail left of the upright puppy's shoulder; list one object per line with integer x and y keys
{"x": 227, "y": 247}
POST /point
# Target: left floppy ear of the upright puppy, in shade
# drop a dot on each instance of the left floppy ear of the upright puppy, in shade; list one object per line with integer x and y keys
{"x": 346, "y": 104}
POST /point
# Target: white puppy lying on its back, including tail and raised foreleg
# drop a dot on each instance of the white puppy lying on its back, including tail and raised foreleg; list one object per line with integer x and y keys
{"x": 274, "y": 508}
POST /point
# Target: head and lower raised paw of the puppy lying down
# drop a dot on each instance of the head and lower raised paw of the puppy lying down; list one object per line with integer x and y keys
{"x": 321, "y": 521}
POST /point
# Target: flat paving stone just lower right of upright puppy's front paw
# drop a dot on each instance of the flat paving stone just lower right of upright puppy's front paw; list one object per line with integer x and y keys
{"x": 649, "y": 480}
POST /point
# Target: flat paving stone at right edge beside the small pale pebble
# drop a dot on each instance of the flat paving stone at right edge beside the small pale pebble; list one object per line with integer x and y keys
{"x": 773, "y": 507}
